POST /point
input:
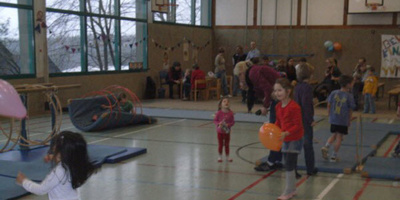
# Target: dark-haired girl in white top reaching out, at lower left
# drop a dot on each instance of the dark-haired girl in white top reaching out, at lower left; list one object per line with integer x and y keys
{"x": 71, "y": 168}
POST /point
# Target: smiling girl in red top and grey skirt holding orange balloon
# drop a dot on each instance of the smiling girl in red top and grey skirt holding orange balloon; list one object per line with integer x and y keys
{"x": 288, "y": 118}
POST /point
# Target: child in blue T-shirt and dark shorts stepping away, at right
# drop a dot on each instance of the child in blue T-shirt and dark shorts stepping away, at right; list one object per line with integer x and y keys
{"x": 340, "y": 106}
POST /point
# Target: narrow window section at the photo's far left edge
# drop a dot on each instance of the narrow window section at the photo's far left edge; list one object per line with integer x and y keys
{"x": 16, "y": 38}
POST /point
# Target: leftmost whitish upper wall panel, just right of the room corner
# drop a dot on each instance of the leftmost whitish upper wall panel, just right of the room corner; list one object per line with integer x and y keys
{"x": 233, "y": 12}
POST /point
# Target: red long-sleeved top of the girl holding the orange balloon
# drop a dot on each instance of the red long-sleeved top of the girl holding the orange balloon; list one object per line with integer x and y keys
{"x": 289, "y": 119}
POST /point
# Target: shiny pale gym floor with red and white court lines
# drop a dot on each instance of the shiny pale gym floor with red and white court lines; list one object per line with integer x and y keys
{"x": 181, "y": 162}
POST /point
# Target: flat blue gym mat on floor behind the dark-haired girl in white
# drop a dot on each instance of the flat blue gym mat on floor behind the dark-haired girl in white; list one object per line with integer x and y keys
{"x": 30, "y": 162}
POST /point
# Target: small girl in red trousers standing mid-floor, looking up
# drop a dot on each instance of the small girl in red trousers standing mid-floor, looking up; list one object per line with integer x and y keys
{"x": 224, "y": 120}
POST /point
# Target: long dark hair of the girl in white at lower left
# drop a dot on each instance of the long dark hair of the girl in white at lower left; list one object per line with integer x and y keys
{"x": 71, "y": 148}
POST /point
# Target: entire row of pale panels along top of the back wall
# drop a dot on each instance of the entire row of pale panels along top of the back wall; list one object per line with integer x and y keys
{"x": 319, "y": 13}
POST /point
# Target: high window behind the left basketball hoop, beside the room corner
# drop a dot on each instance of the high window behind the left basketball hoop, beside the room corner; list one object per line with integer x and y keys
{"x": 191, "y": 12}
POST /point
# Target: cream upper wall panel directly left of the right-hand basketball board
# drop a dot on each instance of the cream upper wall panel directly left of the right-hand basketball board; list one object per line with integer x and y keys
{"x": 322, "y": 12}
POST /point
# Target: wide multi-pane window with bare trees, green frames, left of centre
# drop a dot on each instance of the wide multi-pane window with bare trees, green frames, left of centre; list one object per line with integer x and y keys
{"x": 97, "y": 35}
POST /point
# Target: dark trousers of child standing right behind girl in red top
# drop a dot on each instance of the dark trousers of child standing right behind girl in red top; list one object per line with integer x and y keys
{"x": 308, "y": 148}
